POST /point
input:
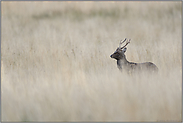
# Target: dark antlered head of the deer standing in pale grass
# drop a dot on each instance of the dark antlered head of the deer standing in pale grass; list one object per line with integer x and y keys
{"x": 119, "y": 53}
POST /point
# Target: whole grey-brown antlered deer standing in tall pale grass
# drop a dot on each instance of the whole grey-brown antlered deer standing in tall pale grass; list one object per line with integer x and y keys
{"x": 124, "y": 64}
